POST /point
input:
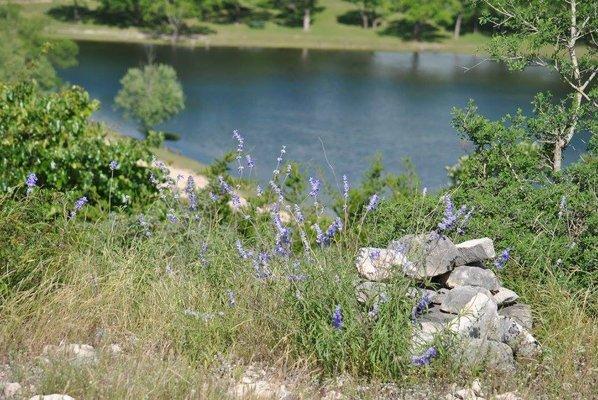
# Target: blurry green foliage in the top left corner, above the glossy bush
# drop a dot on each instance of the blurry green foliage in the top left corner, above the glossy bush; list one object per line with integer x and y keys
{"x": 26, "y": 55}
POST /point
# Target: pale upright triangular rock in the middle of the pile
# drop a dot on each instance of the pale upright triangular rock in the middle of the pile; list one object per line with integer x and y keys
{"x": 477, "y": 318}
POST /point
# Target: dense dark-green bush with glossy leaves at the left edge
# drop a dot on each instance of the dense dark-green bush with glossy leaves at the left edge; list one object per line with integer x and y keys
{"x": 50, "y": 135}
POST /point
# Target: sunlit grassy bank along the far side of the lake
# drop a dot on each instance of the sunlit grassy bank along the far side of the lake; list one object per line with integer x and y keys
{"x": 326, "y": 33}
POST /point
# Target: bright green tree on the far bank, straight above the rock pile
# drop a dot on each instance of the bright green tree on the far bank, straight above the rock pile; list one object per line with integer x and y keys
{"x": 421, "y": 12}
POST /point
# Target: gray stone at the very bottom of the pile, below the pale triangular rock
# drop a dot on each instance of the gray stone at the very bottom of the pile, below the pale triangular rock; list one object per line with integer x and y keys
{"x": 492, "y": 355}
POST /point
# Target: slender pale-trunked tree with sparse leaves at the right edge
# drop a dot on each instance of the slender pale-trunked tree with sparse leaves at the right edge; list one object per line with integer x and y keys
{"x": 550, "y": 34}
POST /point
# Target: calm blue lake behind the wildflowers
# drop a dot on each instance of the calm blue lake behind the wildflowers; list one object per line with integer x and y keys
{"x": 354, "y": 103}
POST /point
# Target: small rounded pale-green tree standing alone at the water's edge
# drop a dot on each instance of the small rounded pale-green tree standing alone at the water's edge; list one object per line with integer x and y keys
{"x": 150, "y": 95}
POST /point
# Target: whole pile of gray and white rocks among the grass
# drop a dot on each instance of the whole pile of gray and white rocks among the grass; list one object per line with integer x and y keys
{"x": 457, "y": 296}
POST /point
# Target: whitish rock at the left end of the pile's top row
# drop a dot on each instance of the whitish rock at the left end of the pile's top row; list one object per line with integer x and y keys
{"x": 378, "y": 264}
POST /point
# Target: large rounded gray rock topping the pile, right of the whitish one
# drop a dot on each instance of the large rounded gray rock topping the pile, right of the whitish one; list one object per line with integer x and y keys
{"x": 428, "y": 255}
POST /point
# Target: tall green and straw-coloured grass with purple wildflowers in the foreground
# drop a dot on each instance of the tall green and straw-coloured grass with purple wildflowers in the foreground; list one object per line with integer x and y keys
{"x": 179, "y": 296}
